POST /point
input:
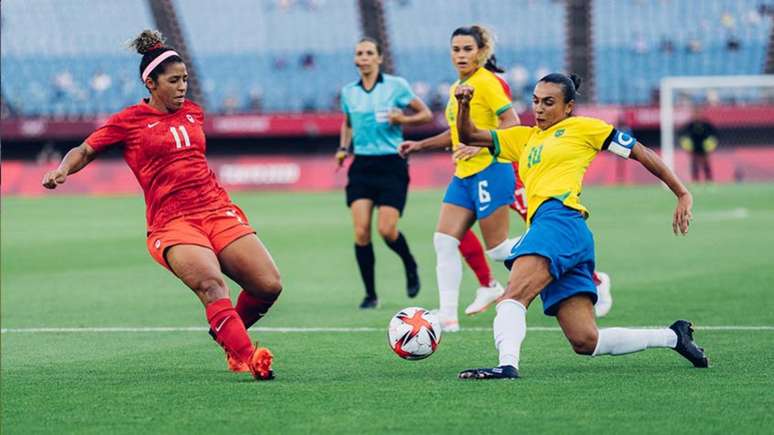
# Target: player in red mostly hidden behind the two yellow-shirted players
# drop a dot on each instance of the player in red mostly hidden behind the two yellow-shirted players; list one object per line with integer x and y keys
{"x": 473, "y": 252}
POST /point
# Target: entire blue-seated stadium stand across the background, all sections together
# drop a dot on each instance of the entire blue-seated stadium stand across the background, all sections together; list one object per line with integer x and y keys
{"x": 299, "y": 52}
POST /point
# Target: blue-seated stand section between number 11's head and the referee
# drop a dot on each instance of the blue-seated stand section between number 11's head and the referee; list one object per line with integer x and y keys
{"x": 290, "y": 62}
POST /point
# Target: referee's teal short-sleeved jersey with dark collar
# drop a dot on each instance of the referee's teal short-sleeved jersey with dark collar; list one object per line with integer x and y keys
{"x": 367, "y": 114}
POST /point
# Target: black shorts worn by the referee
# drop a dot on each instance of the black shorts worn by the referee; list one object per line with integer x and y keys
{"x": 382, "y": 179}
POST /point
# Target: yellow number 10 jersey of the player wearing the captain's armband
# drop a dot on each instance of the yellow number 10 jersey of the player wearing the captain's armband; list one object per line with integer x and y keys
{"x": 552, "y": 162}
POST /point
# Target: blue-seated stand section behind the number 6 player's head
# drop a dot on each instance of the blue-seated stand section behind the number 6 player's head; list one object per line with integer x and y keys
{"x": 530, "y": 40}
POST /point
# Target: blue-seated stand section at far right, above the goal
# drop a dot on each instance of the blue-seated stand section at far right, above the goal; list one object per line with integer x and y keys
{"x": 638, "y": 42}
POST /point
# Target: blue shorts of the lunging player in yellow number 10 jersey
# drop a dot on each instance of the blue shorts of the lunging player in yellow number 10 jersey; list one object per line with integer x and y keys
{"x": 561, "y": 235}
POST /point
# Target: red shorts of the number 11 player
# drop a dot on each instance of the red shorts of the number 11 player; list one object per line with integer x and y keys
{"x": 214, "y": 229}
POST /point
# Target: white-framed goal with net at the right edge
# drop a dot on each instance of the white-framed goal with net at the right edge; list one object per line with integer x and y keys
{"x": 729, "y": 119}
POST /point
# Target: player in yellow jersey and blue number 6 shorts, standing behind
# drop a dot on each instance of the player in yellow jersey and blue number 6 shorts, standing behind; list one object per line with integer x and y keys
{"x": 482, "y": 187}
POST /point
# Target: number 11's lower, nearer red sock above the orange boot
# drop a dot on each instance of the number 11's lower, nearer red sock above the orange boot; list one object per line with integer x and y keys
{"x": 229, "y": 330}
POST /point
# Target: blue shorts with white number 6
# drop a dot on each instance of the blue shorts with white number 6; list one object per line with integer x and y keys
{"x": 485, "y": 192}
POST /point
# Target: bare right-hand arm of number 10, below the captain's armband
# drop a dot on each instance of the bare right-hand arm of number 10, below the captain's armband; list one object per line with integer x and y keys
{"x": 653, "y": 163}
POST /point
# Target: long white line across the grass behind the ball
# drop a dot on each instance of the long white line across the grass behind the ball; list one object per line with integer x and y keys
{"x": 100, "y": 330}
